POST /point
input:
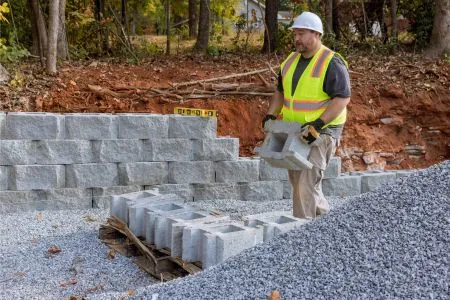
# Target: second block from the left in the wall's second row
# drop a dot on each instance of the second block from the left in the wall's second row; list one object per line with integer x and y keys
{"x": 64, "y": 152}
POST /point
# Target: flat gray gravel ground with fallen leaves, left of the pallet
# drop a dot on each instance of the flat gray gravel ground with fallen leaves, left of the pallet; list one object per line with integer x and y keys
{"x": 82, "y": 268}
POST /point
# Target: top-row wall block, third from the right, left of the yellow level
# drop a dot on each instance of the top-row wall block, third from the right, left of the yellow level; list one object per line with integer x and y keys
{"x": 90, "y": 126}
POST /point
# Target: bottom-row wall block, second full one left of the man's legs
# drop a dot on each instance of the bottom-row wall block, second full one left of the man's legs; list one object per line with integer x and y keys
{"x": 212, "y": 191}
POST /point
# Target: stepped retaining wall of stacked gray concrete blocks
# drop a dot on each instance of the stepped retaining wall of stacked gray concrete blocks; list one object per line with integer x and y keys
{"x": 78, "y": 161}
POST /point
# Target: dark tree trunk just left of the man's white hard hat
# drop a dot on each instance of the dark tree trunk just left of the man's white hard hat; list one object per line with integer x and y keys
{"x": 271, "y": 26}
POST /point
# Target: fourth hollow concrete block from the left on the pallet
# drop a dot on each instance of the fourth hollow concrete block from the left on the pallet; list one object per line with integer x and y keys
{"x": 169, "y": 229}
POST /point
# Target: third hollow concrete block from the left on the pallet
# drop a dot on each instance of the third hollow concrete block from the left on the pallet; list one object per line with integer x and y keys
{"x": 166, "y": 209}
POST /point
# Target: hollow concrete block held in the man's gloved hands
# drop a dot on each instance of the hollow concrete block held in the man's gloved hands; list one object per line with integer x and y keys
{"x": 282, "y": 148}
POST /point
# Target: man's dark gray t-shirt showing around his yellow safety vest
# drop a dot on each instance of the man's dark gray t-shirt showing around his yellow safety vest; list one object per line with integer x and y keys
{"x": 336, "y": 84}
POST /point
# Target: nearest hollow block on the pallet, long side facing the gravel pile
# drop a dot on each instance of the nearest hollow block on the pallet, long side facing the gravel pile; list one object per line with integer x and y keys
{"x": 227, "y": 242}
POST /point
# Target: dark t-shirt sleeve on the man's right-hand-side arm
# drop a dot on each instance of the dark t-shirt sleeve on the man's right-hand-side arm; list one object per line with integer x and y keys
{"x": 337, "y": 79}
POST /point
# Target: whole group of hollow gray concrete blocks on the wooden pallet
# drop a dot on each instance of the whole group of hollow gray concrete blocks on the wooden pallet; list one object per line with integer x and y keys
{"x": 193, "y": 234}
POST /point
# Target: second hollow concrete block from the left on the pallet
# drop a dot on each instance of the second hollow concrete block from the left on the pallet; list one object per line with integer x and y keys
{"x": 137, "y": 210}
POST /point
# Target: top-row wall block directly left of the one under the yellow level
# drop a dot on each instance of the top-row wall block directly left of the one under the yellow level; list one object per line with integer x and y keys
{"x": 143, "y": 126}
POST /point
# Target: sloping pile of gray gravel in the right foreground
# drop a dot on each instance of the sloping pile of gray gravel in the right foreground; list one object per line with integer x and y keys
{"x": 391, "y": 243}
